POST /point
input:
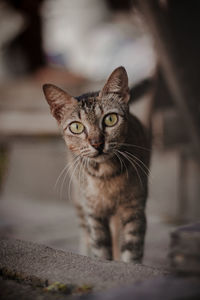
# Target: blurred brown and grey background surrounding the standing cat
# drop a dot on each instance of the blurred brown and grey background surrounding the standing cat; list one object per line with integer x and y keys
{"x": 76, "y": 45}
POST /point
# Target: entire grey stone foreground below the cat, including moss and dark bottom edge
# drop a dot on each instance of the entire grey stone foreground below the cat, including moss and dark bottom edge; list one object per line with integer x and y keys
{"x": 33, "y": 271}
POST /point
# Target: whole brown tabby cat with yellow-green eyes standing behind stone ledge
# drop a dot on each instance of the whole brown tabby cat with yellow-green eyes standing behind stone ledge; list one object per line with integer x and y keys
{"x": 110, "y": 151}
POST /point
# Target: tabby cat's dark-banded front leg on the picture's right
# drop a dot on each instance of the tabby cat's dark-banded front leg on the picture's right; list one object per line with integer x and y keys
{"x": 134, "y": 226}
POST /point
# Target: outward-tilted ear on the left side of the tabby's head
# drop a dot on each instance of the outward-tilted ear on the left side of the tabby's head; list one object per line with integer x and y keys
{"x": 58, "y": 100}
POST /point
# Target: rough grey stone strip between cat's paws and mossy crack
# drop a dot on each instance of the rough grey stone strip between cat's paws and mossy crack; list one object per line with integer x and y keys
{"x": 44, "y": 266}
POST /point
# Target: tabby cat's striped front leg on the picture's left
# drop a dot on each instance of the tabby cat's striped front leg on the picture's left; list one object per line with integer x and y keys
{"x": 100, "y": 237}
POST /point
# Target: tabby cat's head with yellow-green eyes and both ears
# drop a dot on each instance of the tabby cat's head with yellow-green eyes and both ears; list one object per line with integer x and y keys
{"x": 93, "y": 124}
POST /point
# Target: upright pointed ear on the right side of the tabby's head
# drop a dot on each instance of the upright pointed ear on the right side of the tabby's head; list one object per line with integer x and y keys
{"x": 117, "y": 83}
